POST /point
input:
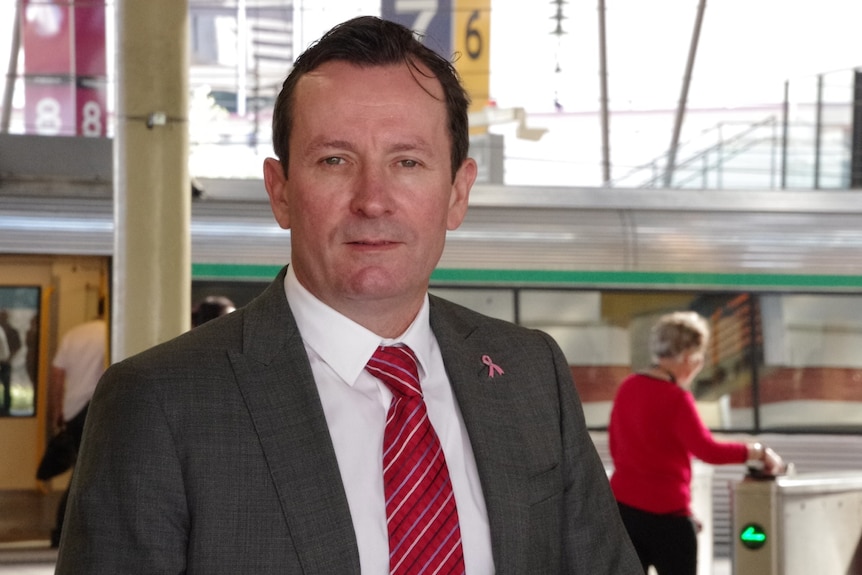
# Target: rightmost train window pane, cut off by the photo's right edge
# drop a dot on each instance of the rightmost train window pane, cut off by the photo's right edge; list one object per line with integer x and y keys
{"x": 812, "y": 368}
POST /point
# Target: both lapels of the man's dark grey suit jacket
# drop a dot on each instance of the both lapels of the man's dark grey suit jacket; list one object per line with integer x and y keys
{"x": 277, "y": 384}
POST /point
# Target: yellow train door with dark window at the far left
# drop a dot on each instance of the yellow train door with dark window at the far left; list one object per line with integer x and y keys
{"x": 41, "y": 297}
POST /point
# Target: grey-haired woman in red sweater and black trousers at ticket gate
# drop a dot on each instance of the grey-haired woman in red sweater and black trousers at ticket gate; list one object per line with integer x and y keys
{"x": 654, "y": 432}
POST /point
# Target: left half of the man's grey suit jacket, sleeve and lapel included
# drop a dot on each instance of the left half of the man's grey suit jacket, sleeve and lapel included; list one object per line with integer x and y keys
{"x": 210, "y": 454}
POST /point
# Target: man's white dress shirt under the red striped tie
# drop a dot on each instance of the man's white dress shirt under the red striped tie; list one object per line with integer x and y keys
{"x": 355, "y": 404}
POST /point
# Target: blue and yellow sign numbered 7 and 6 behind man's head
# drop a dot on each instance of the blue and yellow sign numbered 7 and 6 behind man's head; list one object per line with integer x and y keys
{"x": 461, "y": 27}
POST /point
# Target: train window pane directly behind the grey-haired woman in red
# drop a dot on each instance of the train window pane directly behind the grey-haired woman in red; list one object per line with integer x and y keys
{"x": 604, "y": 335}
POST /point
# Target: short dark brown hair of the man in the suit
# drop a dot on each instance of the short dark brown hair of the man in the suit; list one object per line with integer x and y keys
{"x": 371, "y": 41}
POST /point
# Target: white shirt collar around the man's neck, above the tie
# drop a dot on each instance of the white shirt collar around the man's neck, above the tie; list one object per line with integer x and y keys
{"x": 342, "y": 343}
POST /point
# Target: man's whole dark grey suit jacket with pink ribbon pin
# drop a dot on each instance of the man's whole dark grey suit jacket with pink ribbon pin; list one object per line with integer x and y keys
{"x": 210, "y": 454}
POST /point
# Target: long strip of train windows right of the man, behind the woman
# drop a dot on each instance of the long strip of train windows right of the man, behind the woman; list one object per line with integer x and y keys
{"x": 775, "y": 362}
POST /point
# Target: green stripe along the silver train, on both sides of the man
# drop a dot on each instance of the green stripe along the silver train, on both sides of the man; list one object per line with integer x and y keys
{"x": 621, "y": 279}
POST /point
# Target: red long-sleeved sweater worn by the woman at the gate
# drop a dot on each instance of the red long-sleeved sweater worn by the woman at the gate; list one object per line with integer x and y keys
{"x": 653, "y": 433}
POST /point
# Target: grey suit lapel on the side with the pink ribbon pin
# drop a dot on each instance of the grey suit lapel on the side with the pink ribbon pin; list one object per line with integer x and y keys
{"x": 487, "y": 407}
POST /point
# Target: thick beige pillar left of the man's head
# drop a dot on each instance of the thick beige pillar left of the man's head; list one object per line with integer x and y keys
{"x": 152, "y": 190}
